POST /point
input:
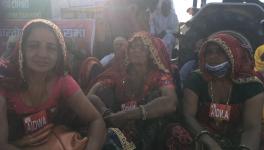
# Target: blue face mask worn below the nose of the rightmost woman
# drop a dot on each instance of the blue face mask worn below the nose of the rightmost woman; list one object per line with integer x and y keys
{"x": 218, "y": 70}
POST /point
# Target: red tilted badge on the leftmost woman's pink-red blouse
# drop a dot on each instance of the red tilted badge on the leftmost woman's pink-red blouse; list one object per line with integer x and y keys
{"x": 35, "y": 121}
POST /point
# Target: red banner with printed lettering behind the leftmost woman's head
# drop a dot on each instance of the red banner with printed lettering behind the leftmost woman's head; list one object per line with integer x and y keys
{"x": 81, "y": 32}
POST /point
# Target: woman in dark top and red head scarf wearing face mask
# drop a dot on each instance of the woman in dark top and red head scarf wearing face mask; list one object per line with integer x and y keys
{"x": 223, "y": 100}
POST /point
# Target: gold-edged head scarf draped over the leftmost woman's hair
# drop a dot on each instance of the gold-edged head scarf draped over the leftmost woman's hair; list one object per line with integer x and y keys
{"x": 16, "y": 80}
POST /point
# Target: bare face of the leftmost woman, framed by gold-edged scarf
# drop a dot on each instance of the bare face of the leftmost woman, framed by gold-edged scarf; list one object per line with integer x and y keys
{"x": 41, "y": 50}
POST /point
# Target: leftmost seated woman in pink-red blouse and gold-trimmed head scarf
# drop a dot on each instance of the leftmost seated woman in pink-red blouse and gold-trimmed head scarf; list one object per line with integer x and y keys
{"x": 29, "y": 107}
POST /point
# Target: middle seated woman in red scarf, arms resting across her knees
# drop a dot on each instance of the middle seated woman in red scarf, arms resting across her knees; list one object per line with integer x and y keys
{"x": 143, "y": 92}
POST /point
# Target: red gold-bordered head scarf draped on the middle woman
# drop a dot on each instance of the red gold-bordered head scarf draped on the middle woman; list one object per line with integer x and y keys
{"x": 159, "y": 76}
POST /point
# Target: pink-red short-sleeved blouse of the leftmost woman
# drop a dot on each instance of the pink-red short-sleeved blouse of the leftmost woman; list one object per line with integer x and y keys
{"x": 18, "y": 111}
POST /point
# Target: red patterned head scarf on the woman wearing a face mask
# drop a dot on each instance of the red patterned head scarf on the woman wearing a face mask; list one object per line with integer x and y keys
{"x": 238, "y": 51}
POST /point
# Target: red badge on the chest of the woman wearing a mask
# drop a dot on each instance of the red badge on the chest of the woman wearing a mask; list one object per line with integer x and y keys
{"x": 220, "y": 111}
